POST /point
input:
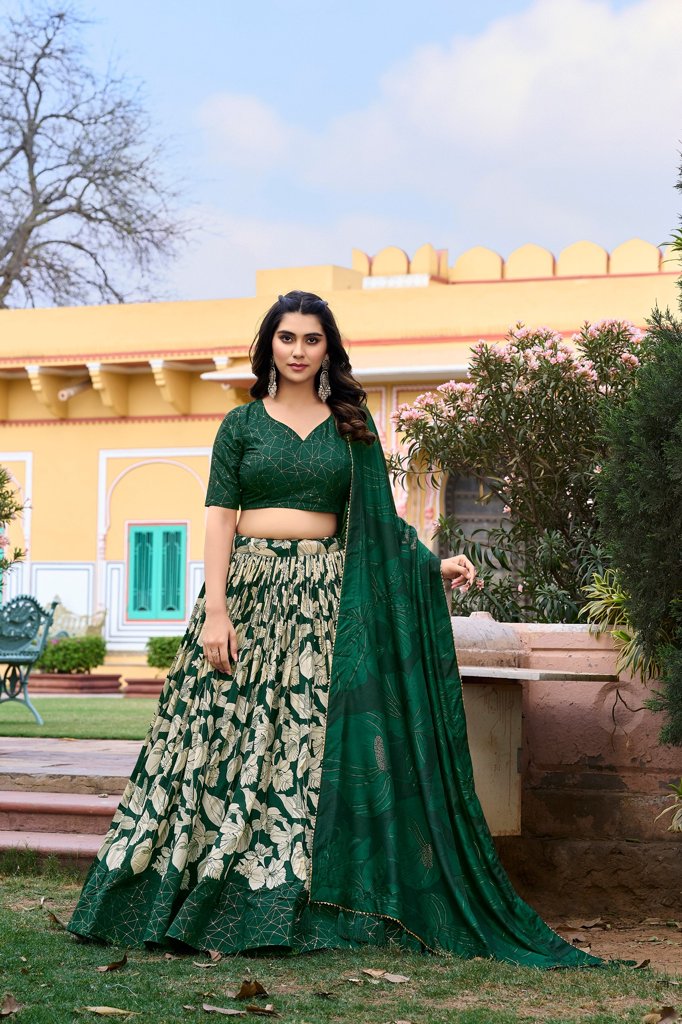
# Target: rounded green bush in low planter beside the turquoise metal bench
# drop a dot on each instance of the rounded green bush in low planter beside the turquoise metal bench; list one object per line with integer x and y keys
{"x": 66, "y": 667}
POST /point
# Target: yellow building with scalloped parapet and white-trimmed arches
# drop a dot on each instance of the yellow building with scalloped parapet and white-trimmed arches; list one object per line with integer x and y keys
{"x": 109, "y": 413}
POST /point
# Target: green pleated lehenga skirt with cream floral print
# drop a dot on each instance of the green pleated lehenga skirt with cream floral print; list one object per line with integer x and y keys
{"x": 211, "y": 844}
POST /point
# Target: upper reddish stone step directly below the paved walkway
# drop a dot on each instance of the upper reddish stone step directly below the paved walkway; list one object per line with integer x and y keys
{"x": 52, "y": 813}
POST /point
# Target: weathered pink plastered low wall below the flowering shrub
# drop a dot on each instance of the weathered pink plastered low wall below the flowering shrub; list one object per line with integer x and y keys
{"x": 595, "y": 778}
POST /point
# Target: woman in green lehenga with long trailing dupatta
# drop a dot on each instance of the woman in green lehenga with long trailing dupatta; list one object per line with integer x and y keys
{"x": 307, "y": 782}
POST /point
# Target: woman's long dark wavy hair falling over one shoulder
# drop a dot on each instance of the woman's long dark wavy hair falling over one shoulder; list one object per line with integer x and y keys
{"x": 348, "y": 401}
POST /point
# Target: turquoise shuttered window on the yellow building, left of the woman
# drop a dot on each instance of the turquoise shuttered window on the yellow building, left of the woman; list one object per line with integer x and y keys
{"x": 157, "y": 572}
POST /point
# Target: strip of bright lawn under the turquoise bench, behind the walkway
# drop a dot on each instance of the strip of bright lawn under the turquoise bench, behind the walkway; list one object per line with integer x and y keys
{"x": 79, "y": 718}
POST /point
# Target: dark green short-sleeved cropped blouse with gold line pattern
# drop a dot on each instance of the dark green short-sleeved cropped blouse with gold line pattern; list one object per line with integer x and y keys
{"x": 260, "y": 462}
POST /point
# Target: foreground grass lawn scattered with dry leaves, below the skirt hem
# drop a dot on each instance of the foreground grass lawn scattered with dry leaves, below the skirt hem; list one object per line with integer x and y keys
{"x": 54, "y": 977}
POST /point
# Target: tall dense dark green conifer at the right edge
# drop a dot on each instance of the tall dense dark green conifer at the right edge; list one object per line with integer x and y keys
{"x": 641, "y": 501}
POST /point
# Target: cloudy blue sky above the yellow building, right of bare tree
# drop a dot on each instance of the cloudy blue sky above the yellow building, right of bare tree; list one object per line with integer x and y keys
{"x": 304, "y": 129}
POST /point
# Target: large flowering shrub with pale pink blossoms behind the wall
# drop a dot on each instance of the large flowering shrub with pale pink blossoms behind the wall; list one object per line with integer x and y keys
{"x": 527, "y": 423}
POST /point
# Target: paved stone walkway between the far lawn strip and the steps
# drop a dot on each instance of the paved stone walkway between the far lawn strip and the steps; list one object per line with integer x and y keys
{"x": 67, "y": 765}
